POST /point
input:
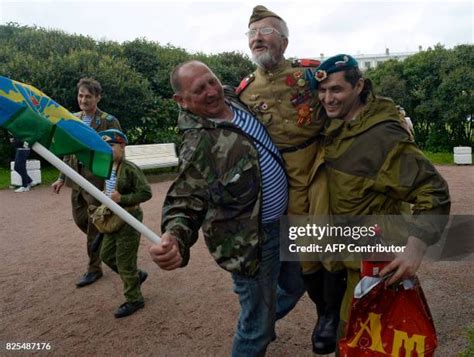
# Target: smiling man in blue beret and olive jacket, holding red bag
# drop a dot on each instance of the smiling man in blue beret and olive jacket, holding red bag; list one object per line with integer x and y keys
{"x": 369, "y": 165}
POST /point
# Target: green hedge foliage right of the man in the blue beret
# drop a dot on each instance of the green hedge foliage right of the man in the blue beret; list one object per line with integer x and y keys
{"x": 436, "y": 87}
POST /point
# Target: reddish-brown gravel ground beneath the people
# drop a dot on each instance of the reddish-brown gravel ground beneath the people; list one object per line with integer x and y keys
{"x": 188, "y": 312}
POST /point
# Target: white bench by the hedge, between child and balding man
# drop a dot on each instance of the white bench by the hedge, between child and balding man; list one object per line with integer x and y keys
{"x": 151, "y": 156}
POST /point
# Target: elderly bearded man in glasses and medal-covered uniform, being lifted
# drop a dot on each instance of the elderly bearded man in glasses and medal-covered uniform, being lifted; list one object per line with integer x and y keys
{"x": 279, "y": 94}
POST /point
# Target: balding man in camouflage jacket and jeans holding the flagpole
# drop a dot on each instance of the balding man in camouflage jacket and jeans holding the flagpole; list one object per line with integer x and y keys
{"x": 232, "y": 183}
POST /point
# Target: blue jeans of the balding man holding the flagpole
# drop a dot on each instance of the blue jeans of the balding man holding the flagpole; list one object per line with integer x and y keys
{"x": 266, "y": 297}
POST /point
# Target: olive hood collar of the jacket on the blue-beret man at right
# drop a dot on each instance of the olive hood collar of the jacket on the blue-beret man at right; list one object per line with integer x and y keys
{"x": 376, "y": 111}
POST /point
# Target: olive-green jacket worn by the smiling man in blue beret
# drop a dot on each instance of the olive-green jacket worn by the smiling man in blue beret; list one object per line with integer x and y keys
{"x": 372, "y": 167}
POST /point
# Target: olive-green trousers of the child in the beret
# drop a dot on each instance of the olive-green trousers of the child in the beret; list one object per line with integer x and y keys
{"x": 119, "y": 251}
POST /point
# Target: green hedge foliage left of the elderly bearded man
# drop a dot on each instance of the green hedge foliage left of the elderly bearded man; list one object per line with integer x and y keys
{"x": 134, "y": 76}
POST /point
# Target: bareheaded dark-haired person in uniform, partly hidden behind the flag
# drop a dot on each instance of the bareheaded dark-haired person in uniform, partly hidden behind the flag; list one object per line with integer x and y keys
{"x": 88, "y": 96}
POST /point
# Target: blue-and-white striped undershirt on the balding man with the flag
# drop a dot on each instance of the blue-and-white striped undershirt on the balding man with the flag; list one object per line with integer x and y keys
{"x": 274, "y": 182}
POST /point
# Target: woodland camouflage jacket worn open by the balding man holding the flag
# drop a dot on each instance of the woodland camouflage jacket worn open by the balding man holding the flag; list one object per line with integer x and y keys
{"x": 218, "y": 188}
